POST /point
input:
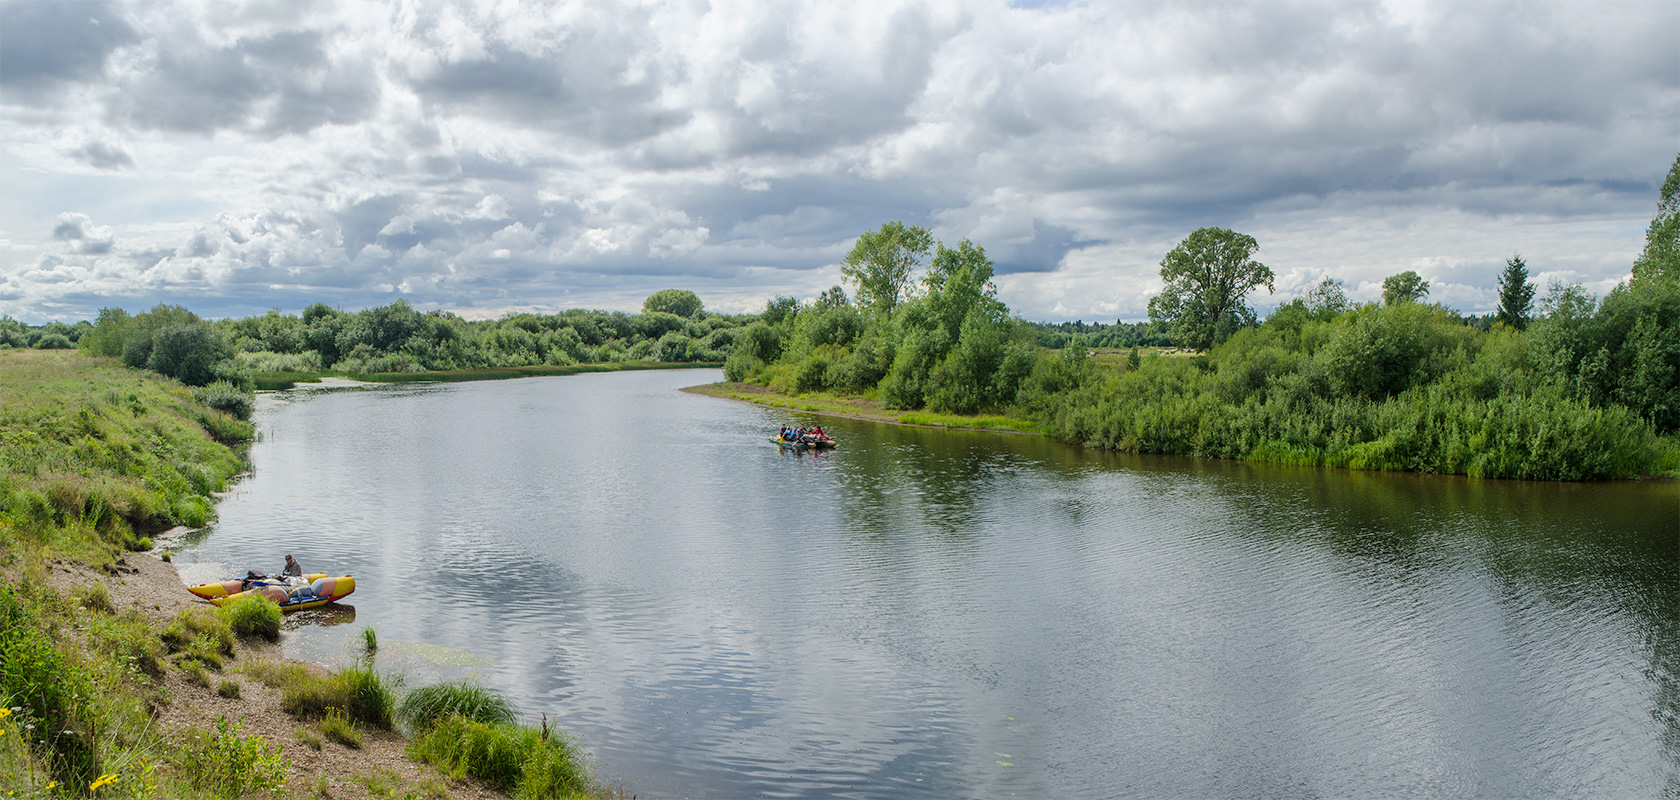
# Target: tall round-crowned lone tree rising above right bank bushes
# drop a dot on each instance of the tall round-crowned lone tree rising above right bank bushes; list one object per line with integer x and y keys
{"x": 1209, "y": 278}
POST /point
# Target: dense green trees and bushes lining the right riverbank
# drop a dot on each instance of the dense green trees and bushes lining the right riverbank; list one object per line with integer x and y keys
{"x": 1580, "y": 389}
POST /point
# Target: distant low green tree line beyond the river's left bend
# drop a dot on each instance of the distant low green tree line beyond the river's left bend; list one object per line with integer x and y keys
{"x": 223, "y": 357}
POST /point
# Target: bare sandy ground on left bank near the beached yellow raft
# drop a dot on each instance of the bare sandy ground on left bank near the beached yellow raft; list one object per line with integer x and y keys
{"x": 154, "y": 589}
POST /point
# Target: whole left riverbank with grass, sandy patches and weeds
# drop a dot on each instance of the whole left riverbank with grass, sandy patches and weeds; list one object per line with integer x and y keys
{"x": 113, "y": 683}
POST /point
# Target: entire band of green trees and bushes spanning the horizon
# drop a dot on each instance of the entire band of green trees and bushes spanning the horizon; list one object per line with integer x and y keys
{"x": 1578, "y": 387}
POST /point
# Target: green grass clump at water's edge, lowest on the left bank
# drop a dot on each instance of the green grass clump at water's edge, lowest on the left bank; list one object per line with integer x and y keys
{"x": 523, "y": 762}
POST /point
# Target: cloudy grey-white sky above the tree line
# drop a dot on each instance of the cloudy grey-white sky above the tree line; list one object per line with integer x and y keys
{"x": 495, "y": 157}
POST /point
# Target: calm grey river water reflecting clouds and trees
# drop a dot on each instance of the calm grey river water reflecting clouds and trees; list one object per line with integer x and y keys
{"x": 970, "y": 616}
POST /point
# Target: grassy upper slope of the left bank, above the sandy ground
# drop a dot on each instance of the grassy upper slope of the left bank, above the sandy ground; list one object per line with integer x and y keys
{"x": 97, "y": 455}
